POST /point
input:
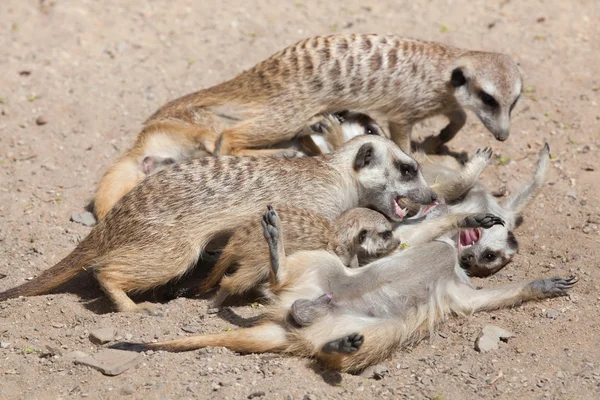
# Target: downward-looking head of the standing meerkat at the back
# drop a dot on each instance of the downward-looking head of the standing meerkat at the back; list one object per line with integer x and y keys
{"x": 489, "y": 84}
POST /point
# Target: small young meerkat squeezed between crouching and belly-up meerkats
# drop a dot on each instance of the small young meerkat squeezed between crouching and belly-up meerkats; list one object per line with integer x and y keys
{"x": 356, "y": 232}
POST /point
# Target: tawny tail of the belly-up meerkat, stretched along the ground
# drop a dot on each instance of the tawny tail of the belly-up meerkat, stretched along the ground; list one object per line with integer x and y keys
{"x": 258, "y": 339}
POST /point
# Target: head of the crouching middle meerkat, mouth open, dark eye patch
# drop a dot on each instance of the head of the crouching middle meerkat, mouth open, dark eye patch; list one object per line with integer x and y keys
{"x": 385, "y": 175}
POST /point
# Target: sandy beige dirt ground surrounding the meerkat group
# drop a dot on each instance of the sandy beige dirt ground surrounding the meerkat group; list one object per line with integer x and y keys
{"x": 78, "y": 78}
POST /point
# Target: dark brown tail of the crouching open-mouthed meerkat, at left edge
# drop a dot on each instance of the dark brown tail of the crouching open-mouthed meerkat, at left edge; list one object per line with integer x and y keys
{"x": 50, "y": 279}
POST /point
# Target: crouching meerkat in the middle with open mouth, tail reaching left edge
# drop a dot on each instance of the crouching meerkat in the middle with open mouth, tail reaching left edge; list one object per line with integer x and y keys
{"x": 159, "y": 230}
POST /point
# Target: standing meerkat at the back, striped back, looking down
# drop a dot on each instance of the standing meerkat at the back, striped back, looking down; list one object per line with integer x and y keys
{"x": 395, "y": 80}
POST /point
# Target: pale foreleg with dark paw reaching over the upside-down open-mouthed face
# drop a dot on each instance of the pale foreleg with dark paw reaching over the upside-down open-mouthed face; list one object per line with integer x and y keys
{"x": 429, "y": 230}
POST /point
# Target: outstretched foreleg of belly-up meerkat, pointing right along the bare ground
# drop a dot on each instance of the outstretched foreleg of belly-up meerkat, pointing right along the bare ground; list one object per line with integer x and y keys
{"x": 473, "y": 300}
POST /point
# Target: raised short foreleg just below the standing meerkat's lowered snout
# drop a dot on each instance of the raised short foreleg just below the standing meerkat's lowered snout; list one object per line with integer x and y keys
{"x": 466, "y": 178}
